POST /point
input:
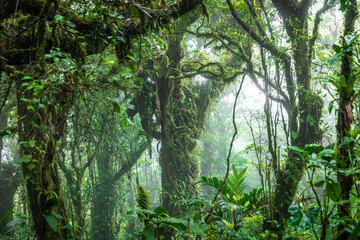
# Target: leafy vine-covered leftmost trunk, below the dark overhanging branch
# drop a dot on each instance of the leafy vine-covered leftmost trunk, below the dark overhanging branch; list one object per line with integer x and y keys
{"x": 39, "y": 132}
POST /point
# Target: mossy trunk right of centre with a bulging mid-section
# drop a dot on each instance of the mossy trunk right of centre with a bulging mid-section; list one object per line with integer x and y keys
{"x": 308, "y": 112}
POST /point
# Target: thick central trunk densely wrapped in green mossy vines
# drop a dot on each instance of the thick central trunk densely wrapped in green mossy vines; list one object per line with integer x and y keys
{"x": 183, "y": 109}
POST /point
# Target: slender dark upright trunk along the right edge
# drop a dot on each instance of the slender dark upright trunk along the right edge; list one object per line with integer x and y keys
{"x": 344, "y": 121}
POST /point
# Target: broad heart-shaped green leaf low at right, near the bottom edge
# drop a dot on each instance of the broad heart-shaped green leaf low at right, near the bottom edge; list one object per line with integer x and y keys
{"x": 302, "y": 221}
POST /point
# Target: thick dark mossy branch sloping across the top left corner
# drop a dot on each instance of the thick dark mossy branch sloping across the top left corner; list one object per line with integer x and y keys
{"x": 97, "y": 33}
